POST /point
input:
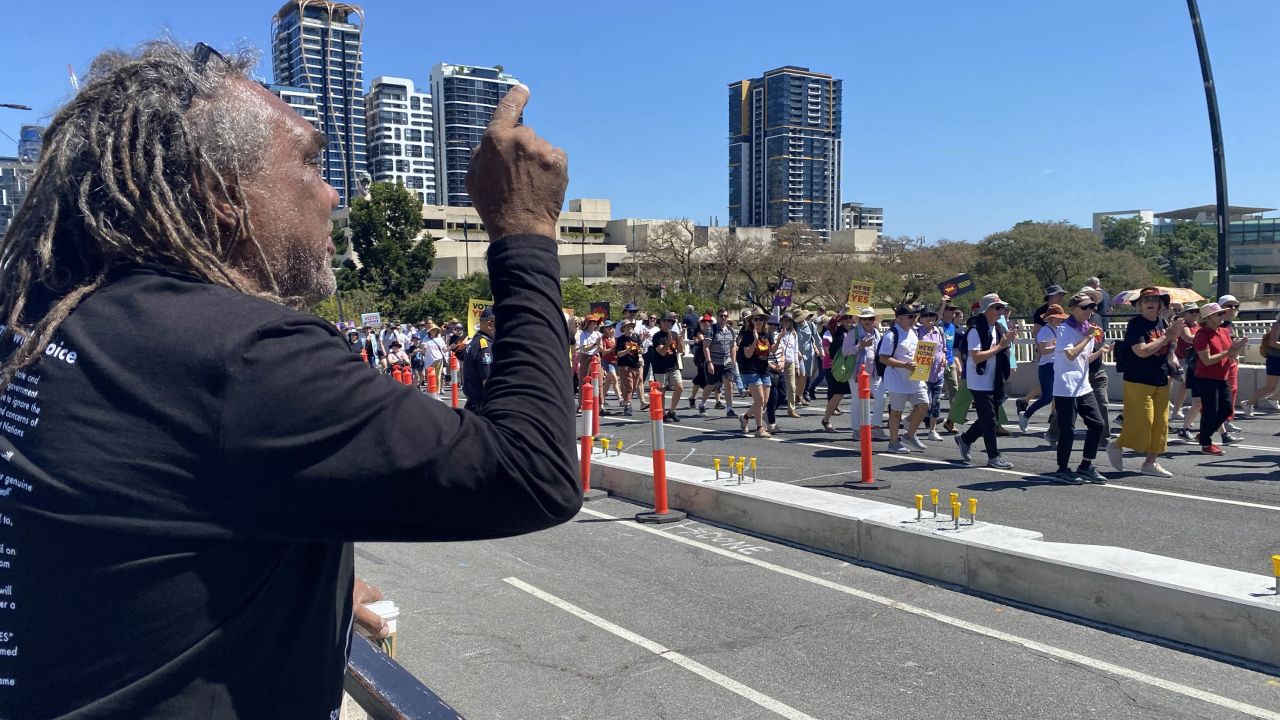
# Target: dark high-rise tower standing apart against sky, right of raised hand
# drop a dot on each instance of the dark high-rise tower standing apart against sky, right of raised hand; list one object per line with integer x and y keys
{"x": 785, "y": 151}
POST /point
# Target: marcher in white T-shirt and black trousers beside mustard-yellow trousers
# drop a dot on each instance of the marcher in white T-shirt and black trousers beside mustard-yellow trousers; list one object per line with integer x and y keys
{"x": 1080, "y": 343}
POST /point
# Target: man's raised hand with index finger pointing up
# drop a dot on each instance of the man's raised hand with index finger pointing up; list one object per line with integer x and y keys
{"x": 516, "y": 180}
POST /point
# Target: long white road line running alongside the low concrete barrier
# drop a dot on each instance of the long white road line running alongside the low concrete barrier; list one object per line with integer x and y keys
{"x": 1127, "y": 673}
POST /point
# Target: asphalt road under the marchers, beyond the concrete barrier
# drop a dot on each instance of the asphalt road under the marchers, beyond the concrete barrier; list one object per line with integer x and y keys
{"x": 1222, "y": 512}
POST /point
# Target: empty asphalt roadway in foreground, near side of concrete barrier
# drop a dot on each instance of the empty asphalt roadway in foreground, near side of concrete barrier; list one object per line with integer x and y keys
{"x": 602, "y": 618}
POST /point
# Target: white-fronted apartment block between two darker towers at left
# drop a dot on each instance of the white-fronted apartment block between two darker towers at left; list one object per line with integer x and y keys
{"x": 403, "y": 136}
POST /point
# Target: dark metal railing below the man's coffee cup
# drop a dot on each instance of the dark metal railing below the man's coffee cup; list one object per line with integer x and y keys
{"x": 386, "y": 691}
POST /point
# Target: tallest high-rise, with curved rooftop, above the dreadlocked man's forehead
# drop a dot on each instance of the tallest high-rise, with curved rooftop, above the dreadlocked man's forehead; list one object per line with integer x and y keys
{"x": 317, "y": 47}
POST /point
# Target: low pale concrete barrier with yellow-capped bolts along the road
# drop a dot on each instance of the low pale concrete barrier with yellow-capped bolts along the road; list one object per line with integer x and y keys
{"x": 1212, "y": 608}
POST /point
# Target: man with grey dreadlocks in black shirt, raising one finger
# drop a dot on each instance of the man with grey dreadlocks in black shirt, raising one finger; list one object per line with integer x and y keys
{"x": 191, "y": 450}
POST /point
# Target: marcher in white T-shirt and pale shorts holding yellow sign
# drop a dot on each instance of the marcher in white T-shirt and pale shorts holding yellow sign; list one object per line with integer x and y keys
{"x": 898, "y": 356}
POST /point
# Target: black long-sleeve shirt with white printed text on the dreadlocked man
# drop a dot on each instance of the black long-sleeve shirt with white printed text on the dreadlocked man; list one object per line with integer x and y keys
{"x": 186, "y": 471}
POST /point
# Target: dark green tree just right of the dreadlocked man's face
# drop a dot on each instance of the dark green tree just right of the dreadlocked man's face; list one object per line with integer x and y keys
{"x": 395, "y": 263}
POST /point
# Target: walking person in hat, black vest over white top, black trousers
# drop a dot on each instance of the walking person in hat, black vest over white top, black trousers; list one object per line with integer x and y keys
{"x": 986, "y": 372}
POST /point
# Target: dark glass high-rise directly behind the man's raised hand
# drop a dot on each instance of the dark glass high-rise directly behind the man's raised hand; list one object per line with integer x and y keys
{"x": 465, "y": 98}
